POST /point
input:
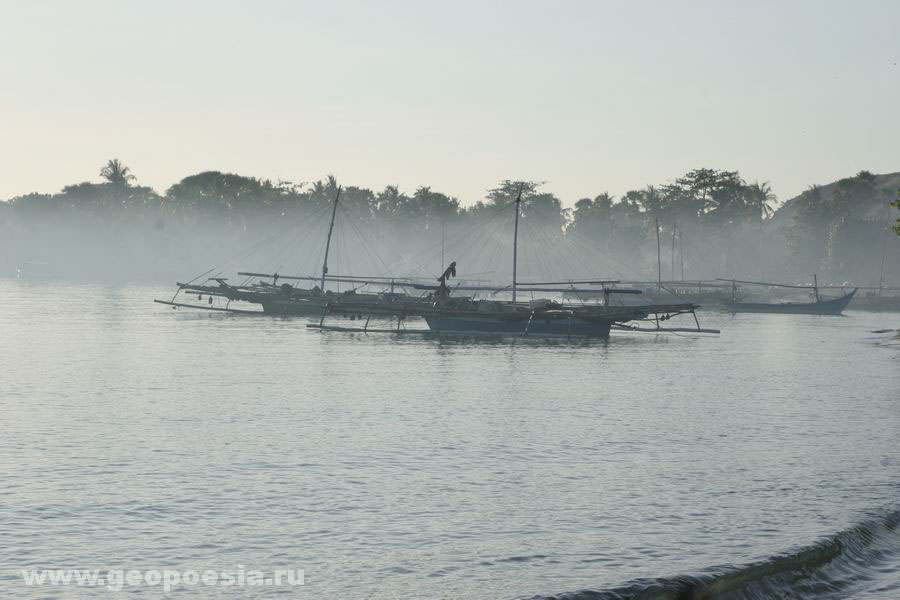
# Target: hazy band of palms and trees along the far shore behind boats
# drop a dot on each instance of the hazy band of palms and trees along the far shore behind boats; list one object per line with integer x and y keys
{"x": 711, "y": 223}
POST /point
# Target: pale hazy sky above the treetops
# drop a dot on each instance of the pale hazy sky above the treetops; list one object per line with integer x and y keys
{"x": 588, "y": 96}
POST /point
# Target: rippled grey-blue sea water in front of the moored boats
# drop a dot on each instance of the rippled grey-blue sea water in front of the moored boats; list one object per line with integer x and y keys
{"x": 752, "y": 464}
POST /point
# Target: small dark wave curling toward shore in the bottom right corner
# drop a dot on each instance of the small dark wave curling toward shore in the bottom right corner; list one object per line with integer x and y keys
{"x": 839, "y": 566}
